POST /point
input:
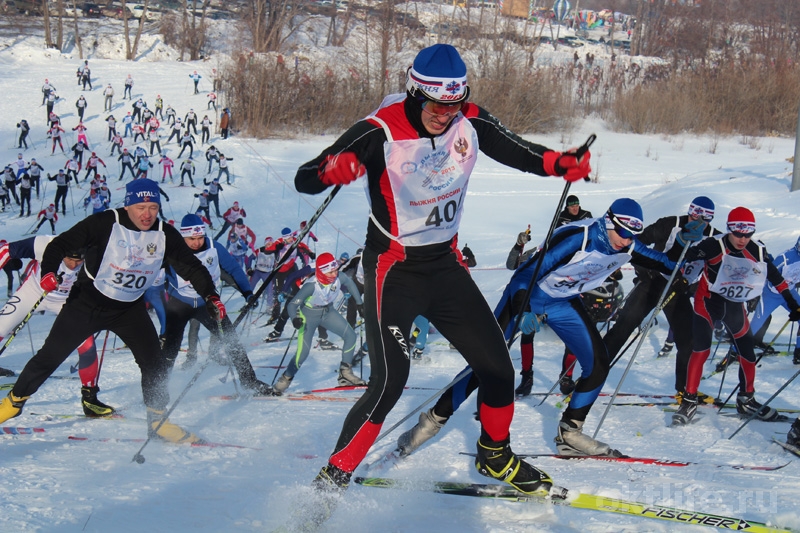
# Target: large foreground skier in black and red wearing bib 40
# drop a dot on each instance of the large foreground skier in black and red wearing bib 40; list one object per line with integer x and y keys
{"x": 417, "y": 152}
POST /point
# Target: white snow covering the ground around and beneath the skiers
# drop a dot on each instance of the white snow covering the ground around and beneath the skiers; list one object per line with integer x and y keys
{"x": 54, "y": 484}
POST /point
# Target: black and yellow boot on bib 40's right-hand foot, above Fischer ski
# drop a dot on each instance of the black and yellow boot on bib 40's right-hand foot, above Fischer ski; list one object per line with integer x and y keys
{"x": 496, "y": 460}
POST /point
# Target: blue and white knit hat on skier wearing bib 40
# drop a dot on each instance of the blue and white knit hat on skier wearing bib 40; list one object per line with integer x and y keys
{"x": 438, "y": 74}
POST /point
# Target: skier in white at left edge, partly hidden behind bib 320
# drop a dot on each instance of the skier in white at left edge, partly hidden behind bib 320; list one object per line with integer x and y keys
{"x": 30, "y": 291}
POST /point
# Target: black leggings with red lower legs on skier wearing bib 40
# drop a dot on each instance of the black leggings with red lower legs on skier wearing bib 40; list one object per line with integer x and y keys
{"x": 395, "y": 292}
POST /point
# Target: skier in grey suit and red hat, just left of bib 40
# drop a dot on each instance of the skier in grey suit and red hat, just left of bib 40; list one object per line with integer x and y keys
{"x": 312, "y": 307}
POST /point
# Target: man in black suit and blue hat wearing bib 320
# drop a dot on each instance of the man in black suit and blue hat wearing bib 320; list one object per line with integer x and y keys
{"x": 125, "y": 249}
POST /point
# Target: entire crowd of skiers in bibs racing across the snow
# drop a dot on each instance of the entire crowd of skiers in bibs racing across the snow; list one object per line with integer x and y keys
{"x": 409, "y": 271}
